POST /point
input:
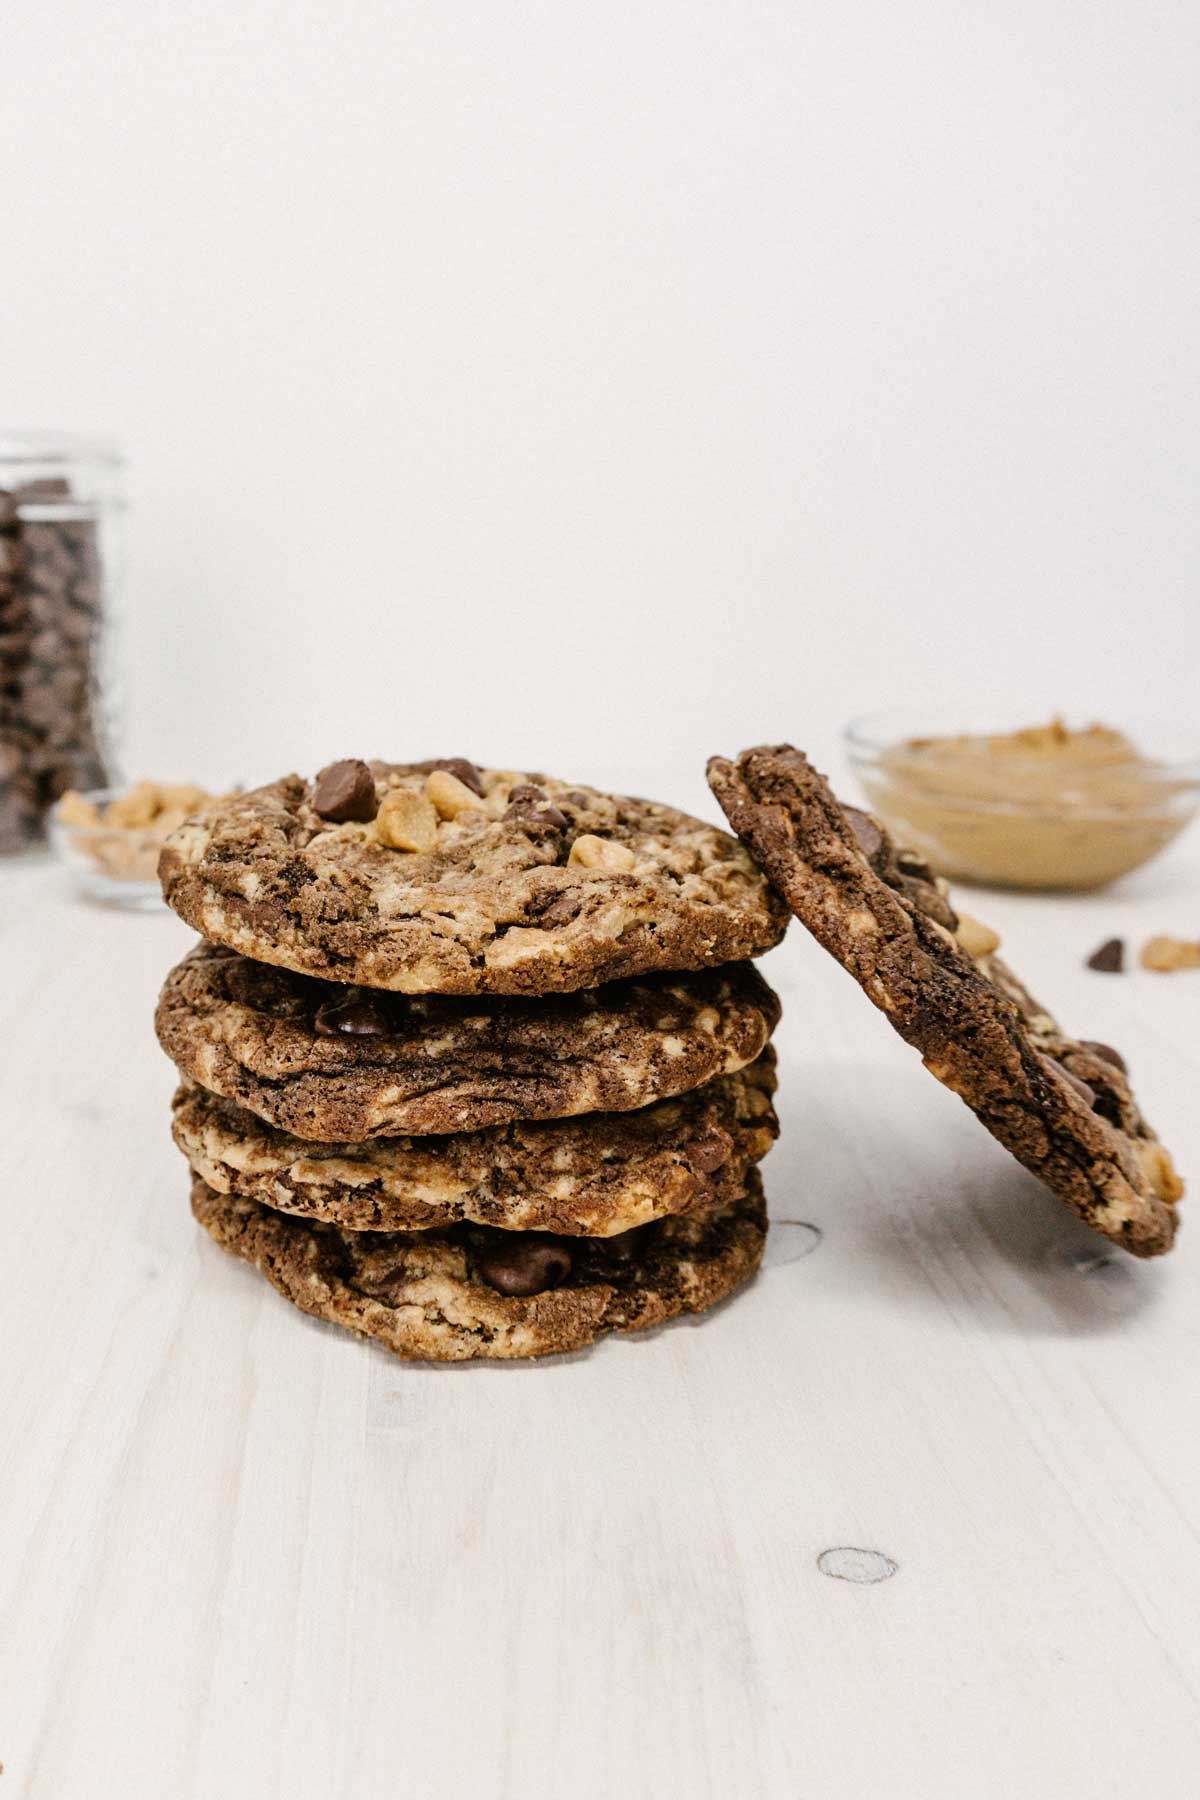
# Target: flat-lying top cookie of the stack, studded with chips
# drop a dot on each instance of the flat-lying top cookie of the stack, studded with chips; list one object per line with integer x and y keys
{"x": 451, "y": 879}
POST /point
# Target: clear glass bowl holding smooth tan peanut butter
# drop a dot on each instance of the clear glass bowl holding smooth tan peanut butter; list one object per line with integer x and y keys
{"x": 1017, "y": 818}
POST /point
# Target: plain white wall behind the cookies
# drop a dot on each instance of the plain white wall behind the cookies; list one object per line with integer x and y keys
{"x": 593, "y": 386}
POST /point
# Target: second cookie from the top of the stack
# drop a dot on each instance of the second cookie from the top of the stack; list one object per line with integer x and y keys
{"x": 332, "y": 1063}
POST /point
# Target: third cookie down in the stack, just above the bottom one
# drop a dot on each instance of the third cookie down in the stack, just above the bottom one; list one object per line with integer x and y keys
{"x": 595, "y": 1176}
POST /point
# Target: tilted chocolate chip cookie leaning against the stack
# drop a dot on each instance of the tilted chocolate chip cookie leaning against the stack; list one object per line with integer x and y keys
{"x": 1064, "y": 1108}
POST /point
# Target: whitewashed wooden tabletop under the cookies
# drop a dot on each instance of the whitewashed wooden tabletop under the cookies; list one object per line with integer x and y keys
{"x": 244, "y": 1554}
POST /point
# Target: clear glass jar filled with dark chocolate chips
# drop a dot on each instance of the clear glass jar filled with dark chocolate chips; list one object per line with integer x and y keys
{"x": 60, "y": 526}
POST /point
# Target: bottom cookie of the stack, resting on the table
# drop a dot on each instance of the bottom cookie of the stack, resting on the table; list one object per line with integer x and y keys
{"x": 447, "y": 1297}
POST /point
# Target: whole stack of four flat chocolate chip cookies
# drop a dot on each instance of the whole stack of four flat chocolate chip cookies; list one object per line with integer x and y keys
{"x": 474, "y": 1063}
